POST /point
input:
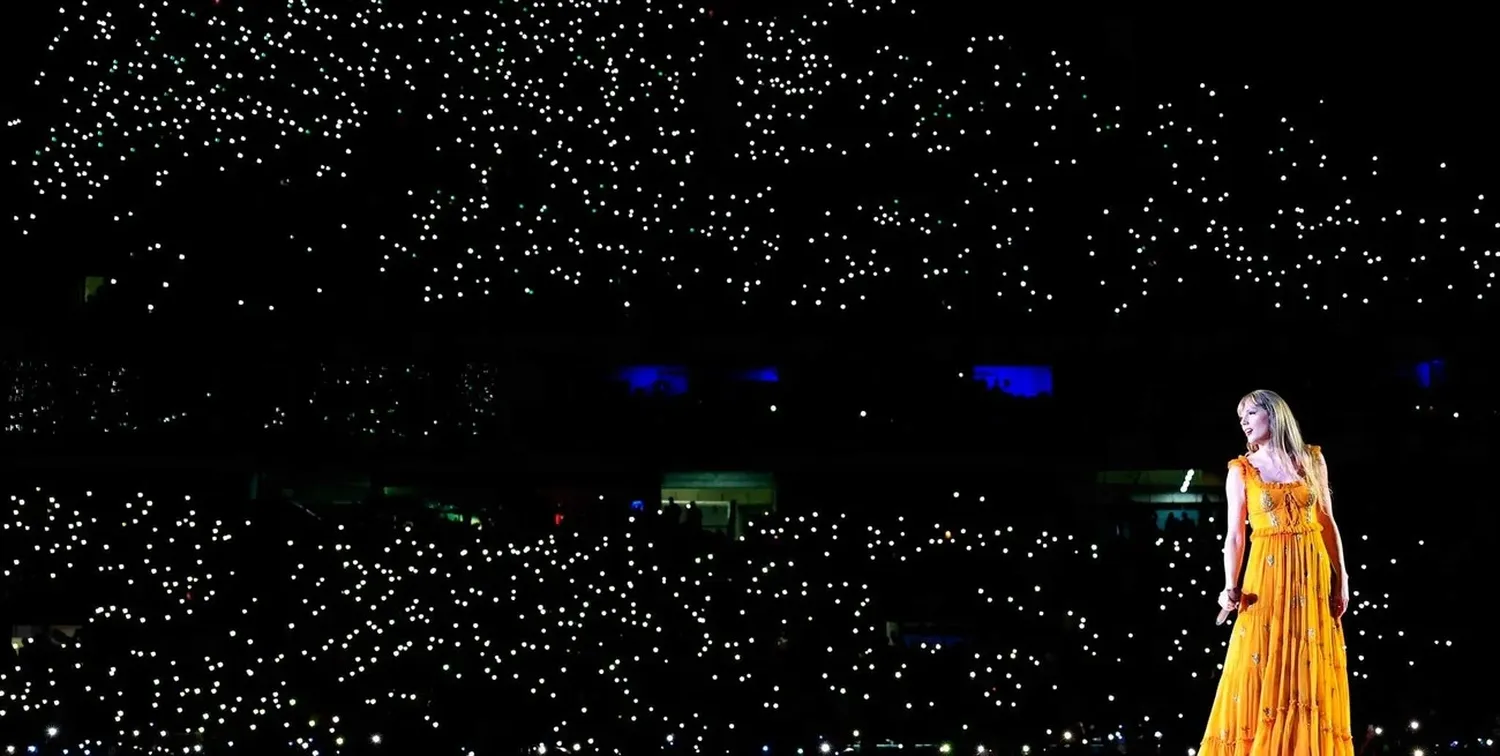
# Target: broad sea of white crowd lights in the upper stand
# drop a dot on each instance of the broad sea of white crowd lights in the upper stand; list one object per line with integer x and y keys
{"x": 629, "y": 154}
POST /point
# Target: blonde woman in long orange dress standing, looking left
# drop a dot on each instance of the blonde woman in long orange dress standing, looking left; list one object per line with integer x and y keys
{"x": 1285, "y": 689}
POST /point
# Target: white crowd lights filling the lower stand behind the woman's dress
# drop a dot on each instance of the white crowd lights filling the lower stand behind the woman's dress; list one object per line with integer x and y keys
{"x": 217, "y": 625}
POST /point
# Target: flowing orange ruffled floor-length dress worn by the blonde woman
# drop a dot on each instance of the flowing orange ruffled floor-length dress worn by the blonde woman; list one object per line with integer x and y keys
{"x": 1285, "y": 691}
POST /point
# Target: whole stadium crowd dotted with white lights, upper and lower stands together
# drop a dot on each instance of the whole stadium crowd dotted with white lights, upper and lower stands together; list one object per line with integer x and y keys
{"x": 680, "y": 169}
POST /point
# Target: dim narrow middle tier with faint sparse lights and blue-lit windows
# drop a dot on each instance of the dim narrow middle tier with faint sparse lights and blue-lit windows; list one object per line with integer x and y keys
{"x": 397, "y": 401}
